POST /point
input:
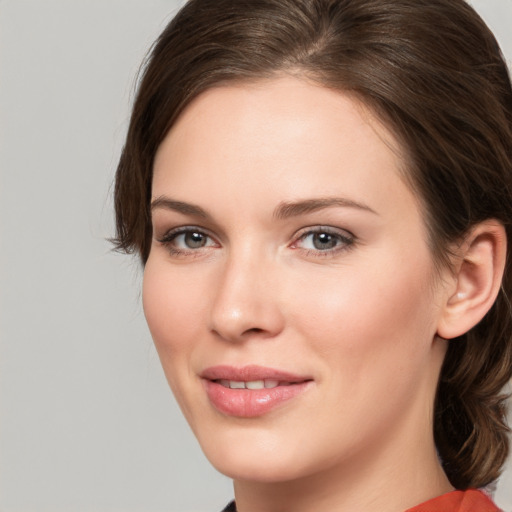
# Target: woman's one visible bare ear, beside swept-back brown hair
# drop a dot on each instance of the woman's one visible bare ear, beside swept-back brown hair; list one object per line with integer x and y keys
{"x": 476, "y": 279}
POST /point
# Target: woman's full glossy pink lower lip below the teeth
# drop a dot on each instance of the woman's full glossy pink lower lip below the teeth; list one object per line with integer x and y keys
{"x": 250, "y": 403}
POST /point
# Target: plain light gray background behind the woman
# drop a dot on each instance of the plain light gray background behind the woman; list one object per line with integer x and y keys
{"x": 87, "y": 421}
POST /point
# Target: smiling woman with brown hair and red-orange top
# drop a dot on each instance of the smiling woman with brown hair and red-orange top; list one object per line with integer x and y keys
{"x": 321, "y": 194}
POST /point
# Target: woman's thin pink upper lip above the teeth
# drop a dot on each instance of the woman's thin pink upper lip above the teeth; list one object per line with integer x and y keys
{"x": 250, "y": 373}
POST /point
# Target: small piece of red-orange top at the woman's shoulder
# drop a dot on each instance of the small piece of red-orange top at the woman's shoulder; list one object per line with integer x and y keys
{"x": 458, "y": 501}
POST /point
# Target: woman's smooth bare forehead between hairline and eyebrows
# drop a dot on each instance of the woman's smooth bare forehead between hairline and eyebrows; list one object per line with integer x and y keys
{"x": 280, "y": 139}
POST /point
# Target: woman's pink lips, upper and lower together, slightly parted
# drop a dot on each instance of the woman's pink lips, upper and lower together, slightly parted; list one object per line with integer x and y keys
{"x": 247, "y": 403}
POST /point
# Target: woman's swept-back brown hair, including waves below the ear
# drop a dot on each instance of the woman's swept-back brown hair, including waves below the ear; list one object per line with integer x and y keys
{"x": 433, "y": 72}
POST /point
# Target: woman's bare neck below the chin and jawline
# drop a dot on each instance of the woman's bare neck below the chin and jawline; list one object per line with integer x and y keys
{"x": 352, "y": 486}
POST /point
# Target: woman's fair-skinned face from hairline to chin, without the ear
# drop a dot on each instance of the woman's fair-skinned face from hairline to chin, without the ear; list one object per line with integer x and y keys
{"x": 289, "y": 289}
